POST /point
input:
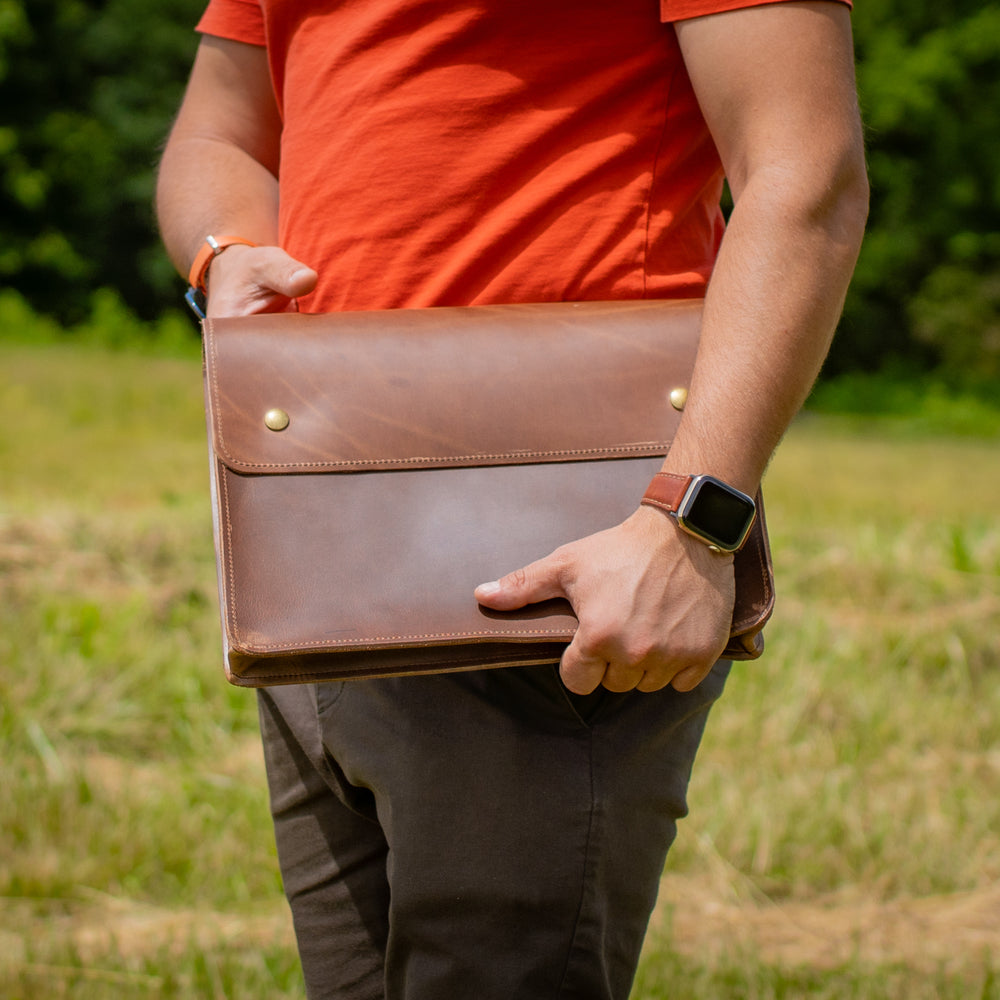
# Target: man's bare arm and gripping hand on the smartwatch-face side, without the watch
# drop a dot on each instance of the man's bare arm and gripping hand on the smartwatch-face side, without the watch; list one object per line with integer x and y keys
{"x": 776, "y": 87}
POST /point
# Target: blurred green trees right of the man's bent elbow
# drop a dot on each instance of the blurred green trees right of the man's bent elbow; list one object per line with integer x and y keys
{"x": 925, "y": 292}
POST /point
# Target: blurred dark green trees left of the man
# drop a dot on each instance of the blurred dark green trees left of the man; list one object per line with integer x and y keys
{"x": 88, "y": 90}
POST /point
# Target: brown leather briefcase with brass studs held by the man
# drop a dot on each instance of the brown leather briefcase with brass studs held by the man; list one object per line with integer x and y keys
{"x": 370, "y": 469}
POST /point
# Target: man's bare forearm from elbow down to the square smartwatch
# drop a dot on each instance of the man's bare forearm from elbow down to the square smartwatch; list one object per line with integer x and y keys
{"x": 770, "y": 313}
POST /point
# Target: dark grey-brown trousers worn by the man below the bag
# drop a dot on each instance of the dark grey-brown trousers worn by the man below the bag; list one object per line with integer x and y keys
{"x": 475, "y": 836}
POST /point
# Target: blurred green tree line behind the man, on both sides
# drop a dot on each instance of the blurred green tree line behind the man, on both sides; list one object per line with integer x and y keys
{"x": 89, "y": 87}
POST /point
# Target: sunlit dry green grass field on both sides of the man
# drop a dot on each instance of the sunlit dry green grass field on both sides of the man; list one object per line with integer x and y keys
{"x": 844, "y": 840}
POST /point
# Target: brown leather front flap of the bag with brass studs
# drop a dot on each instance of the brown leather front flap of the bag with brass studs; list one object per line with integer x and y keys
{"x": 448, "y": 386}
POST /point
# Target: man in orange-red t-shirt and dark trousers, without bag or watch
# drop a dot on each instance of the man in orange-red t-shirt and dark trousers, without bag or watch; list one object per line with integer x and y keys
{"x": 501, "y": 833}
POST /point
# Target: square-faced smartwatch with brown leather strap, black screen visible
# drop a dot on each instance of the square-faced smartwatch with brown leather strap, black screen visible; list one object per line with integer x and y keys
{"x": 707, "y": 508}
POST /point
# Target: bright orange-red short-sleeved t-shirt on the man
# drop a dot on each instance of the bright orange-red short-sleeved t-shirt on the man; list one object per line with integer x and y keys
{"x": 436, "y": 153}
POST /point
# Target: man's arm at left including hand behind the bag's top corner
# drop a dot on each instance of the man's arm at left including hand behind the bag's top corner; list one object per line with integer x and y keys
{"x": 218, "y": 176}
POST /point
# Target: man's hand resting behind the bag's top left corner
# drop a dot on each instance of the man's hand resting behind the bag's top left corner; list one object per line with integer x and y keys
{"x": 244, "y": 280}
